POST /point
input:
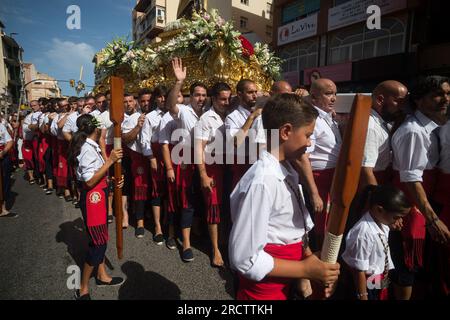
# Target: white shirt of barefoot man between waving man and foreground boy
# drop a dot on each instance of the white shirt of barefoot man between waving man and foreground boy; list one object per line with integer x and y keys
{"x": 211, "y": 128}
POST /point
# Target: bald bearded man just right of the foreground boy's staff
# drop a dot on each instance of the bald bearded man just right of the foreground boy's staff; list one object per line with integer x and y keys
{"x": 388, "y": 100}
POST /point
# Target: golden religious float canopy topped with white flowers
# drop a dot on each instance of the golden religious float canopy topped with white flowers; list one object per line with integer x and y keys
{"x": 210, "y": 47}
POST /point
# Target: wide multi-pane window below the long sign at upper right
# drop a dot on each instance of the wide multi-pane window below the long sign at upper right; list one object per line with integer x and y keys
{"x": 358, "y": 42}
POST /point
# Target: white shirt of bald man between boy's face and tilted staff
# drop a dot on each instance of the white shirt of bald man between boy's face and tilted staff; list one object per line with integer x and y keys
{"x": 326, "y": 142}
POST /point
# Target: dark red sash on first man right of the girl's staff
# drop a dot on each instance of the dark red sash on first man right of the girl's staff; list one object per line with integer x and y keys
{"x": 140, "y": 176}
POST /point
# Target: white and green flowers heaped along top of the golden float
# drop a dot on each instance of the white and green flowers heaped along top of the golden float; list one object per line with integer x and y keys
{"x": 200, "y": 36}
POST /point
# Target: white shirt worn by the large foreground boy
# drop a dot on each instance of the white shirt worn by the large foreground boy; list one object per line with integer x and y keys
{"x": 265, "y": 210}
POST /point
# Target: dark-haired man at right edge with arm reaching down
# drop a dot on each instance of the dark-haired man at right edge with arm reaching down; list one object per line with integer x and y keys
{"x": 416, "y": 154}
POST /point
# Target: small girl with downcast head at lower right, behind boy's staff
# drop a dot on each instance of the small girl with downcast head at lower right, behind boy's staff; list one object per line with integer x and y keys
{"x": 367, "y": 251}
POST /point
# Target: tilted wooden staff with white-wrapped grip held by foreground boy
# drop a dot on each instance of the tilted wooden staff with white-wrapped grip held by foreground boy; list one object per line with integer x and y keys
{"x": 346, "y": 176}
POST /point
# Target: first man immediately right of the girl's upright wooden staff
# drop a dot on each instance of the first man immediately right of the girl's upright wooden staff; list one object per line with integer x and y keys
{"x": 136, "y": 168}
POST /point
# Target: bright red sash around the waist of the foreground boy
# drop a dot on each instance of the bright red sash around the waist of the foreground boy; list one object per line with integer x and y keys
{"x": 270, "y": 288}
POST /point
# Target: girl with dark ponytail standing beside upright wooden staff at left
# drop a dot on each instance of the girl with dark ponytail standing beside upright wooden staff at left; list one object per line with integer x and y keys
{"x": 92, "y": 168}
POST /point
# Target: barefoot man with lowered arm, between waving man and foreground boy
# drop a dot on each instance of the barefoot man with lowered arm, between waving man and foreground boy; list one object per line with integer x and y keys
{"x": 209, "y": 134}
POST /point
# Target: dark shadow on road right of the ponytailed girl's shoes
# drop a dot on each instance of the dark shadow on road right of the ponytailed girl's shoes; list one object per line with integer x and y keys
{"x": 146, "y": 285}
